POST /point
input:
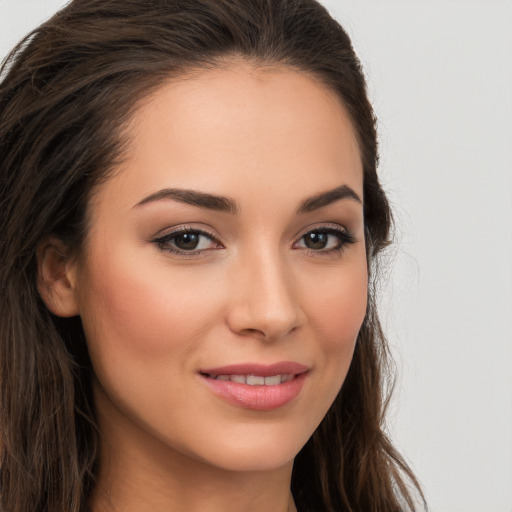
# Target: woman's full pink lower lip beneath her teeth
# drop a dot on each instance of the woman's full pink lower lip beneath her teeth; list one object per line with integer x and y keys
{"x": 259, "y": 398}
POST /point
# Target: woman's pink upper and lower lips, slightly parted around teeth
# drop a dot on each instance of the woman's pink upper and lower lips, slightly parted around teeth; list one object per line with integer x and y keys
{"x": 258, "y": 397}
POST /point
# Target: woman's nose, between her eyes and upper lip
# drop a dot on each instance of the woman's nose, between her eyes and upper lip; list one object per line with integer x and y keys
{"x": 264, "y": 303}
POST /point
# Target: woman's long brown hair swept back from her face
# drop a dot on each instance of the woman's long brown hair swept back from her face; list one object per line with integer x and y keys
{"x": 66, "y": 92}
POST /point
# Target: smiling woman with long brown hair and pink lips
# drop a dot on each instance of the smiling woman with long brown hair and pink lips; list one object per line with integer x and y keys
{"x": 191, "y": 220}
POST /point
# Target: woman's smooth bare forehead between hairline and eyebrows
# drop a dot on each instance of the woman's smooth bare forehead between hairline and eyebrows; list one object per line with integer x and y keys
{"x": 240, "y": 126}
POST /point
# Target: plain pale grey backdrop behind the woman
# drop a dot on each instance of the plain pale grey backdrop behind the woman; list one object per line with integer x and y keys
{"x": 440, "y": 78}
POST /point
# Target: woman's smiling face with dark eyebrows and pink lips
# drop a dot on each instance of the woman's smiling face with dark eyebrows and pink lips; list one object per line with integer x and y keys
{"x": 224, "y": 278}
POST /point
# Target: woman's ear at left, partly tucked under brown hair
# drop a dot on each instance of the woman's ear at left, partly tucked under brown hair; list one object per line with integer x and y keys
{"x": 56, "y": 278}
